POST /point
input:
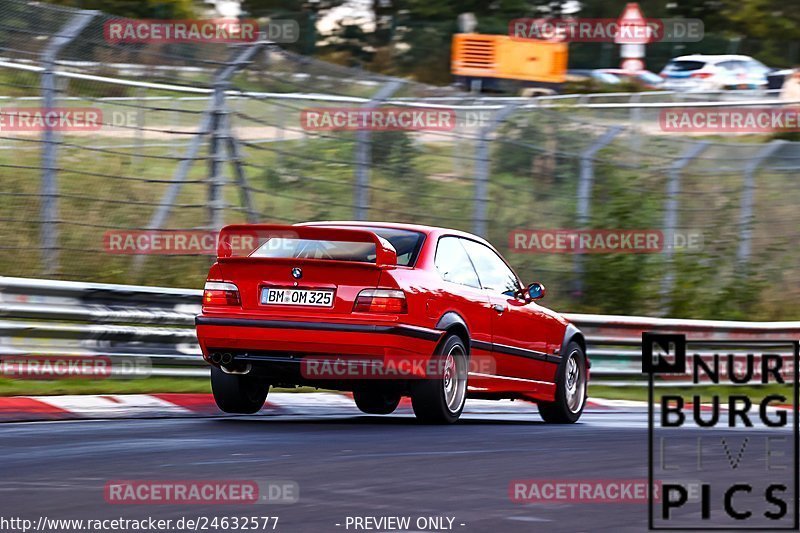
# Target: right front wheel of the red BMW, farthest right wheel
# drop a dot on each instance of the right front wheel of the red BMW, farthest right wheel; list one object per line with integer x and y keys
{"x": 566, "y": 410}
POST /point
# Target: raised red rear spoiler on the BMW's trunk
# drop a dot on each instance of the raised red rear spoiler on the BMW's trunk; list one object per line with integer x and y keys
{"x": 230, "y": 238}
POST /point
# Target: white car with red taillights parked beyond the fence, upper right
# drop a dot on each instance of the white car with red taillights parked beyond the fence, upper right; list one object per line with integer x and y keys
{"x": 714, "y": 73}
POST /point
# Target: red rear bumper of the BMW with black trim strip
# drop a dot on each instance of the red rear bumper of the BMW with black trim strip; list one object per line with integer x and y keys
{"x": 291, "y": 346}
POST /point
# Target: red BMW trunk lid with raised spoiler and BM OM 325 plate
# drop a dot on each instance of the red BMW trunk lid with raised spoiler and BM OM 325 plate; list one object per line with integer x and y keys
{"x": 297, "y": 271}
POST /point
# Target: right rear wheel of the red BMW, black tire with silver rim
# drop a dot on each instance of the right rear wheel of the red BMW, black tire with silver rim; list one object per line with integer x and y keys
{"x": 429, "y": 397}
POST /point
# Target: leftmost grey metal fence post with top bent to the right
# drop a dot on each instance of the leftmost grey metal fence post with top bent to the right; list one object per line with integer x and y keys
{"x": 50, "y": 140}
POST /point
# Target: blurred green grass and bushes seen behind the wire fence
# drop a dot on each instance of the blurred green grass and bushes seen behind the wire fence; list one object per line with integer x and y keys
{"x": 421, "y": 181}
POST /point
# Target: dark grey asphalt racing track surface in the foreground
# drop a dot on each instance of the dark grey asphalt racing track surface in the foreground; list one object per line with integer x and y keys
{"x": 345, "y": 464}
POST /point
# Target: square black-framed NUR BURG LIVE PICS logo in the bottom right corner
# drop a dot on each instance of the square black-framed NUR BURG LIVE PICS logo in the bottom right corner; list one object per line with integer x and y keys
{"x": 722, "y": 433}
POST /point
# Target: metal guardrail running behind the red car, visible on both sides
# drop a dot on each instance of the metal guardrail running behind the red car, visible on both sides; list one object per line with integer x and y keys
{"x": 46, "y": 317}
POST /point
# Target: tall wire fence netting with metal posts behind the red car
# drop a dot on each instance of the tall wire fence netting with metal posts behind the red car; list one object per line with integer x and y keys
{"x": 196, "y": 135}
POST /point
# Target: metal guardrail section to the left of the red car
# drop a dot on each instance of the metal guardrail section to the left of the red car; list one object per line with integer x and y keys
{"x": 121, "y": 322}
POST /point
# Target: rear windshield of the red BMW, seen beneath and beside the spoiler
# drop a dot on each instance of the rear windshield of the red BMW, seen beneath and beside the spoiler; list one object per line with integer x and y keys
{"x": 406, "y": 243}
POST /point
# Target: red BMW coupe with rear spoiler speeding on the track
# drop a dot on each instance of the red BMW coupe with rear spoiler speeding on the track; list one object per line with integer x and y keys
{"x": 385, "y": 311}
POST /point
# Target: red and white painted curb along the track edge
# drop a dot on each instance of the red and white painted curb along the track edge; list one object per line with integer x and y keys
{"x": 15, "y": 408}
